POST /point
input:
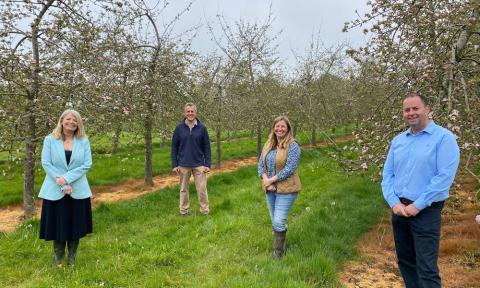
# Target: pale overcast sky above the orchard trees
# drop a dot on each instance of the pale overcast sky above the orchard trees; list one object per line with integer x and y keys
{"x": 298, "y": 19}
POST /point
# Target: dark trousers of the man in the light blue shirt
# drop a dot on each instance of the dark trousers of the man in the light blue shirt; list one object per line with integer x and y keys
{"x": 417, "y": 242}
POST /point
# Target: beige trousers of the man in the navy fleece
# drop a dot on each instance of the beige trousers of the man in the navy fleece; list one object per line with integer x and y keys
{"x": 200, "y": 178}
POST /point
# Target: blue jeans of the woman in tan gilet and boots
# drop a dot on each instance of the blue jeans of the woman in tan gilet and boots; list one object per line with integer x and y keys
{"x": 279, "y": 205}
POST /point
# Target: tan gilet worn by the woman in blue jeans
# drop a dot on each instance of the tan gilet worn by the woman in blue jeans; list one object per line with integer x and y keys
{"x": 290, "y": 184}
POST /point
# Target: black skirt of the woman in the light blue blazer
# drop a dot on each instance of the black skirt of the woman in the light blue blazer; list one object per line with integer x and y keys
{"x": 66, "y": 219}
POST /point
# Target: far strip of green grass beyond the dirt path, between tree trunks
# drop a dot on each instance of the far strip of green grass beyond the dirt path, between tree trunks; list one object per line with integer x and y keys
{"x": 127, "y": 164}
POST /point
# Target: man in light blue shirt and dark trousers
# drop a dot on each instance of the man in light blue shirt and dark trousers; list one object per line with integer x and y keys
{"x": 417, "y": 175}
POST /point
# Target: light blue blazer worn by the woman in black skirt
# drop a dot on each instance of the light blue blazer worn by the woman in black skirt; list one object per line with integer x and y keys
{"x": 54, "y": 163}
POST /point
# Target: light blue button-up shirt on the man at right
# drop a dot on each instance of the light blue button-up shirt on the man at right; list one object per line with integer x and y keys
{"x": 421, "y": 167}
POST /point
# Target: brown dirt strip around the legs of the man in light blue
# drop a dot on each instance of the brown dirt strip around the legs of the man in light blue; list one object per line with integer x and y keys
{"x": 459, "y": 248}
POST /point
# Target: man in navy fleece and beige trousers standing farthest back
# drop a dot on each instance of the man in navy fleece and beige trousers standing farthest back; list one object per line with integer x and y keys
{"x": 191, "y": 155}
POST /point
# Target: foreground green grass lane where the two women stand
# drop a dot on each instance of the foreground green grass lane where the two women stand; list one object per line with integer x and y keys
{"x": 144, "y": 243}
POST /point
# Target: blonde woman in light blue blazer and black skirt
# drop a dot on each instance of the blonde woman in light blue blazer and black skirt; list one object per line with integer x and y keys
{"x": 66, "y": 208}
